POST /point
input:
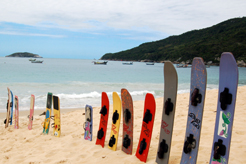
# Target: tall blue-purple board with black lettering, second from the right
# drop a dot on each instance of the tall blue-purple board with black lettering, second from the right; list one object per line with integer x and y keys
{"x": 196, "y": 105}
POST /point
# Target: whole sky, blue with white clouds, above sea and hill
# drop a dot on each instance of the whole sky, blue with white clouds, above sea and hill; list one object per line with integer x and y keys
{"x": 87, "y": 29}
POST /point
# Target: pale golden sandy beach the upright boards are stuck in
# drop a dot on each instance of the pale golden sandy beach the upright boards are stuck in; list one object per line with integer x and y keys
{"x": 32, "y": 147}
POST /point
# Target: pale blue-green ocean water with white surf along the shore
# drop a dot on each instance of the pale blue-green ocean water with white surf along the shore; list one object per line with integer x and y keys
{"x": 79, "y": 82}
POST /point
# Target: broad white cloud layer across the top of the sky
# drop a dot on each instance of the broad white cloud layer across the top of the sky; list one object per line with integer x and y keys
{"x": 168, "y": 17}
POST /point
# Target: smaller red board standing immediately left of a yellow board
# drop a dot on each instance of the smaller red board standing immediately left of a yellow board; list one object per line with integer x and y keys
{"x": 101, "y": 134}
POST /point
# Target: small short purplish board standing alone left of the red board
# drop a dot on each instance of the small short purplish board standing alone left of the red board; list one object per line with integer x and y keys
{"x": 88, "y": 122}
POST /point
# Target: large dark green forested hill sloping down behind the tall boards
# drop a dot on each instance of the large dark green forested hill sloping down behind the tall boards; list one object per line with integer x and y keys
{"x": 208, "y": 43}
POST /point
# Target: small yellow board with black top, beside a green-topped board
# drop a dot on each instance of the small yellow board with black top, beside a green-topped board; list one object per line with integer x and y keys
{"x": 57, "y": 116}
